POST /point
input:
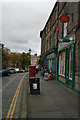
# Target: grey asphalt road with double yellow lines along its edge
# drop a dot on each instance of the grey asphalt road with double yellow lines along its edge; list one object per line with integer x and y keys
{"x": 11, "y": 94}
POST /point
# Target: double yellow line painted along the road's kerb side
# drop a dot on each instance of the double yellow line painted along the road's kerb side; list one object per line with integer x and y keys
{"x": 14, "y": 100}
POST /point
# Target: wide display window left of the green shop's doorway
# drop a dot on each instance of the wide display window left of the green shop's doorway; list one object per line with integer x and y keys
{"x": 62, "y": 63}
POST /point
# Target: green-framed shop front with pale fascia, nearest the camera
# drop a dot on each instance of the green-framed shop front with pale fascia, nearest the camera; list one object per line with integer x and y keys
{"x": 66, "y": 63}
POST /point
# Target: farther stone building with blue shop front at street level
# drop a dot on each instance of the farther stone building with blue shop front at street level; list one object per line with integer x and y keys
{"x": 49, "y": 39}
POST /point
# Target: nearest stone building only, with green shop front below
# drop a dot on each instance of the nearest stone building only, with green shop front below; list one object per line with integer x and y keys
{"x": 69, "y": 68}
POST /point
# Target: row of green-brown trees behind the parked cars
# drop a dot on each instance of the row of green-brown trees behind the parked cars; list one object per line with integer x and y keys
{"x": 16, "y": 60}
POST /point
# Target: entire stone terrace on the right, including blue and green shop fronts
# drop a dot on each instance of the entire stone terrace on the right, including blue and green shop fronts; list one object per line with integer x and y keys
{"x": 60, "y": 44}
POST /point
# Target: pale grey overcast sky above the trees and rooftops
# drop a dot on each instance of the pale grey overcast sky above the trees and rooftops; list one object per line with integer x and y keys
{"x": 22, "y": 23}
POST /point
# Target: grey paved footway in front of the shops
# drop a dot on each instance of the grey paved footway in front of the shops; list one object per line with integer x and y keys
{"x": 54, "y": 101}
